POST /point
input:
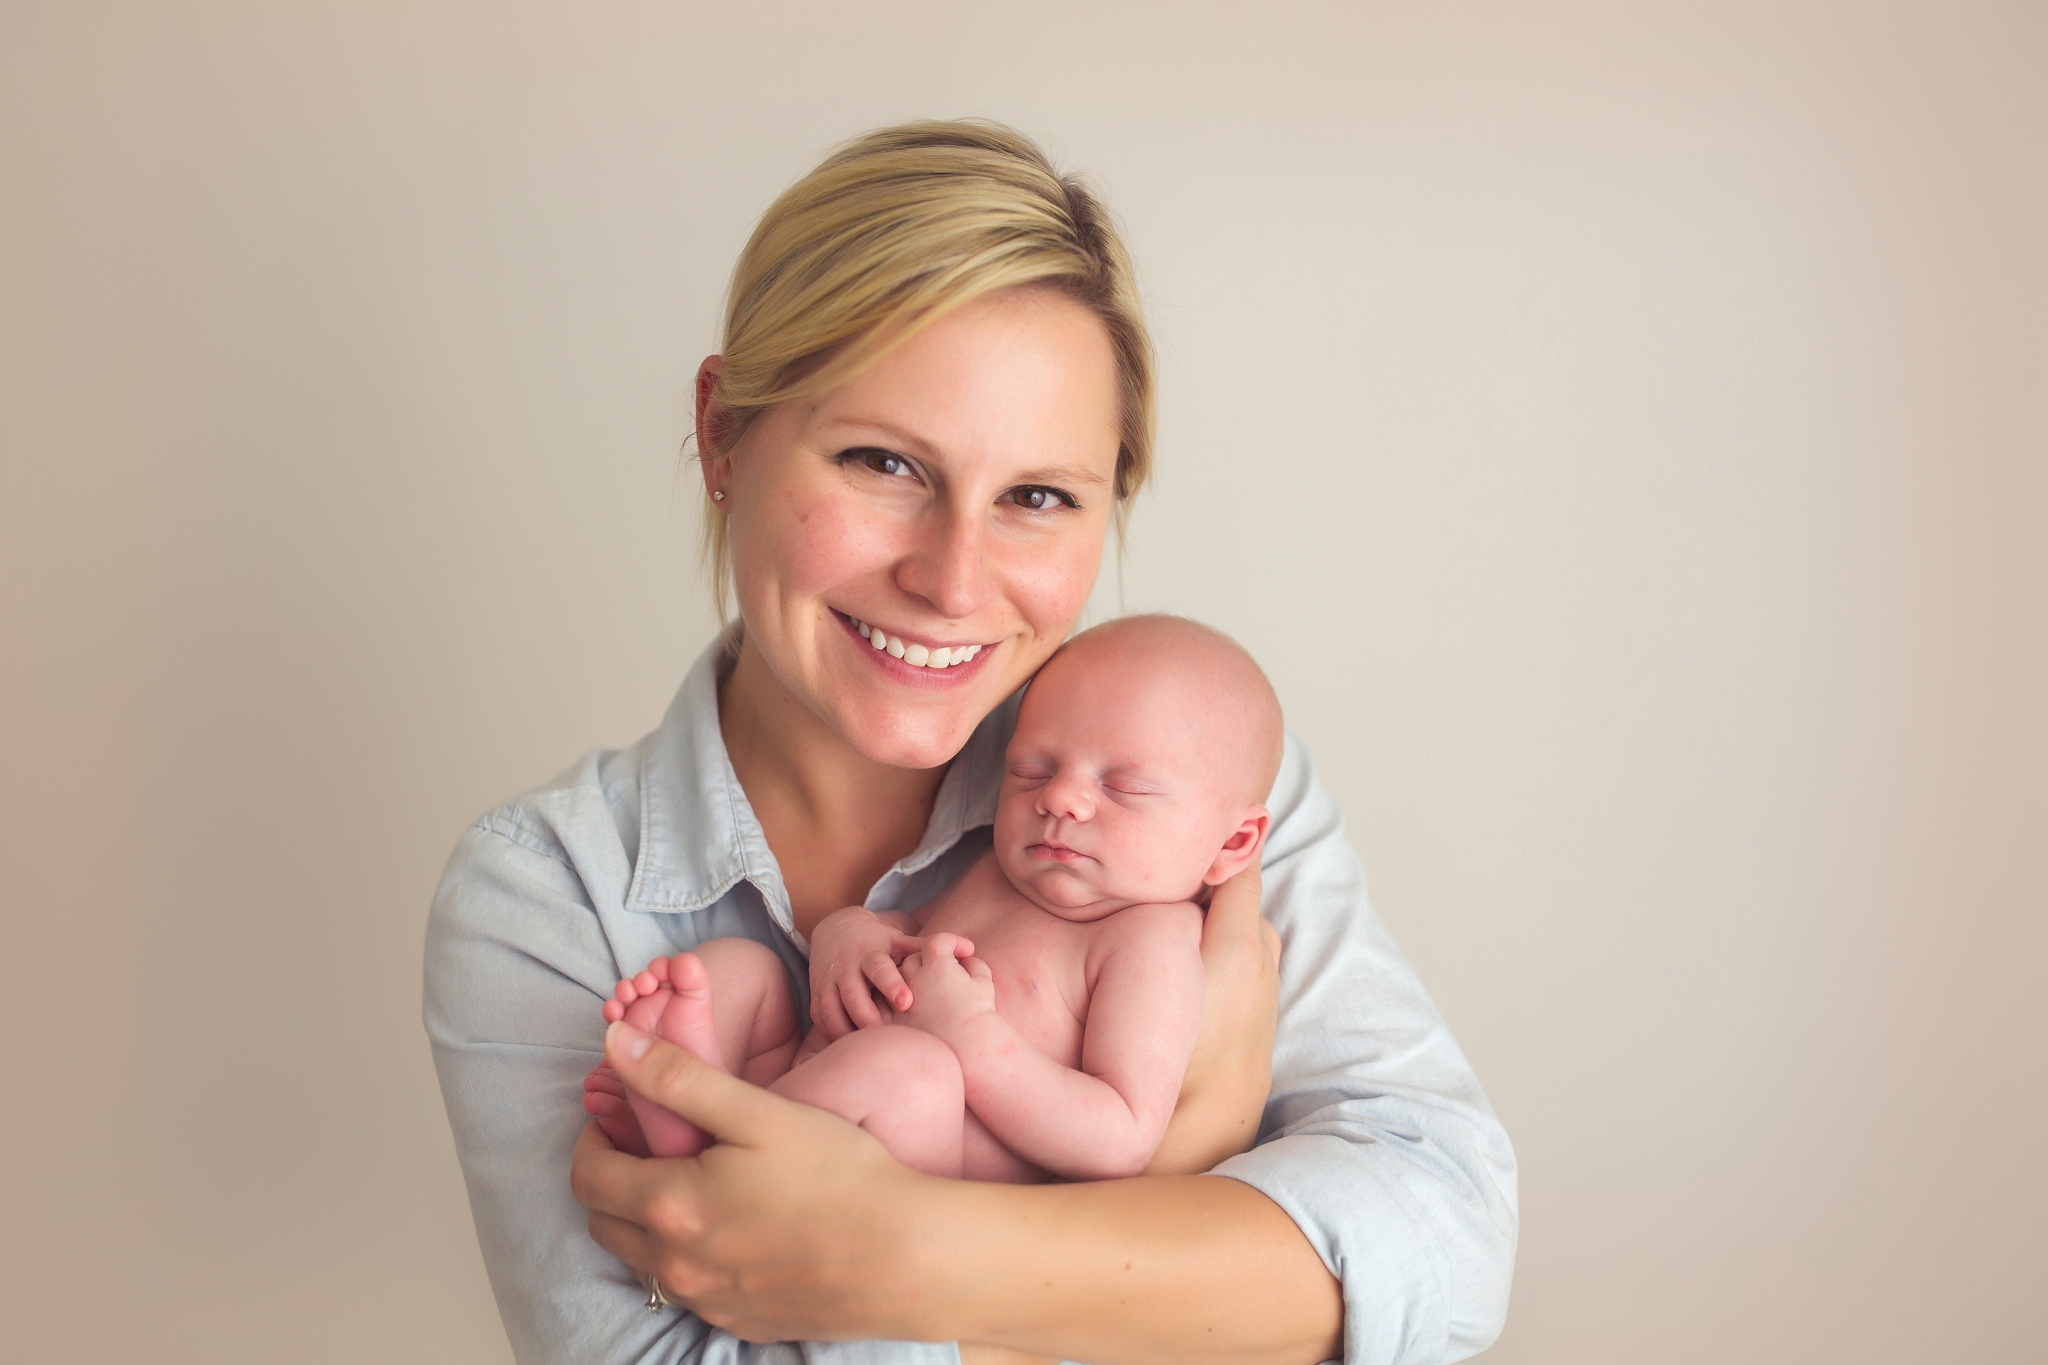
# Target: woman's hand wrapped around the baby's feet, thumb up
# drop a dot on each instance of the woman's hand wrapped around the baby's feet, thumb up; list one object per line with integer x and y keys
{"x": 796, "y": 1204}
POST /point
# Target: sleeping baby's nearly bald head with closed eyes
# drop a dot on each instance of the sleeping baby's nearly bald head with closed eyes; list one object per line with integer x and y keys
{"x": 1140, "y": 768}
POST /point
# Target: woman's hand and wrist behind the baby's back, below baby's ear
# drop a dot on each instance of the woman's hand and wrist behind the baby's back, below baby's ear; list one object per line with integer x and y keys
{"x": 1232, "y": 1069}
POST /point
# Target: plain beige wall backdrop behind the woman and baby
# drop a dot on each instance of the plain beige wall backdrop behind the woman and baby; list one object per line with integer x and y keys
{"x": 1619, "y": 429}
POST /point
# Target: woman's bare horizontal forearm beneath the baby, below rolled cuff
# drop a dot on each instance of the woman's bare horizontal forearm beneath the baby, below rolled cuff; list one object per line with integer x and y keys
{"x": 1158, "y": 1270}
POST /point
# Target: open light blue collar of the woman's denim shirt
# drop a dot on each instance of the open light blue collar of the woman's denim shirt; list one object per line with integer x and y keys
{"x": 699, "y": 836}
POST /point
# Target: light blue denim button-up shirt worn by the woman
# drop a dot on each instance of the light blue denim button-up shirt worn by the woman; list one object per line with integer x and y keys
{"x": 1377, "y": 1139}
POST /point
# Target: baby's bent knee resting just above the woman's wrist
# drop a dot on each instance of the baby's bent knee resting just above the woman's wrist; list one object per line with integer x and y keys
{"x": 896, "y": 1082}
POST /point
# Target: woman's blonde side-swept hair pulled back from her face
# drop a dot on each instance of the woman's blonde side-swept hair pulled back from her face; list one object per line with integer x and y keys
{"x": 890, "y": 234}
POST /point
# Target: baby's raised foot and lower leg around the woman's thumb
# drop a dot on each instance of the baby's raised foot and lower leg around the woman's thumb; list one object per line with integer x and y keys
{"x": 730, "y": 1004}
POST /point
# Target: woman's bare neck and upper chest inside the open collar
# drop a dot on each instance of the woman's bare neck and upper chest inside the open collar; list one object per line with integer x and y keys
{"x": 833, "y": 818}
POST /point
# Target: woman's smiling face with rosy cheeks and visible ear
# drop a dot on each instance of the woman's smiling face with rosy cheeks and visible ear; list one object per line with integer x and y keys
{"x": 953, "y": 498}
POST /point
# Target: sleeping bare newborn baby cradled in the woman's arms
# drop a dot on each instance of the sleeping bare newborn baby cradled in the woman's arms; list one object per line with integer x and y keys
{"x": 1037, "y": 1016}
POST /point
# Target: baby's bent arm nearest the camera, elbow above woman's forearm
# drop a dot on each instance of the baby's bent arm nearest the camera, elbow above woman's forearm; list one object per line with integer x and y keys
{"x": 1107, "y": 1118}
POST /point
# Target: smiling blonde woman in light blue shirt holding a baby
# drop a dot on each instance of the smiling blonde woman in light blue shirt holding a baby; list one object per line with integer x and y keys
{"x": 933, "y": 400}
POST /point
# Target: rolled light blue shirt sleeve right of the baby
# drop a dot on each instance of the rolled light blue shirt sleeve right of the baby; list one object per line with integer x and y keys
{"x": 1377, "y": 1139}
